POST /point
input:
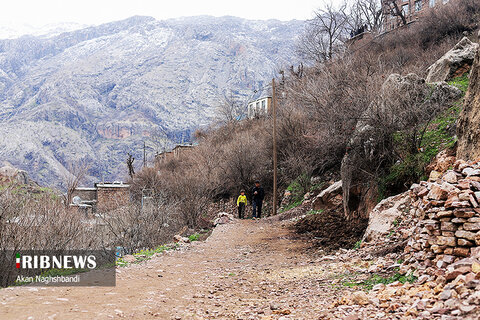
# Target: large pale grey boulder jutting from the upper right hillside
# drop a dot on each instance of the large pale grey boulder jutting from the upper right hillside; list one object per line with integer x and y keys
{"x": 454, "y": 63}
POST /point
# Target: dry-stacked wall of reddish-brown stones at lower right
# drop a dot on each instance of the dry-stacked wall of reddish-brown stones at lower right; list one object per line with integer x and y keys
{"x": 450, "y": 228}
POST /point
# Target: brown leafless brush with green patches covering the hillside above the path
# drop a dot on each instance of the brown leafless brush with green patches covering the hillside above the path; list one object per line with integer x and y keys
{"x": 320, "y": 104}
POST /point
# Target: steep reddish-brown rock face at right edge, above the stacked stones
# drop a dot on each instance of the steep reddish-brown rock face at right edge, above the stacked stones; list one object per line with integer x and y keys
{"x": 468, "y": 130}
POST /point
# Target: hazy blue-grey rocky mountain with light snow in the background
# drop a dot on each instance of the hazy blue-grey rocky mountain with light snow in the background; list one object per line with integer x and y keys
{"x": 94, "y": 94}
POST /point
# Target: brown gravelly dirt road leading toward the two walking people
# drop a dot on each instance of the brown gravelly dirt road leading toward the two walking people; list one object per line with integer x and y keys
{"x": 245, "y": 270}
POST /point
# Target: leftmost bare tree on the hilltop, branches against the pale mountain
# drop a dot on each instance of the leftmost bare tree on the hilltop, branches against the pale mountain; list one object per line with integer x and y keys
{"x": 324, "y": 35}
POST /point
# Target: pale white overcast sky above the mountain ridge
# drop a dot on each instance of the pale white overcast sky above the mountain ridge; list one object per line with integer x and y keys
{"x": 42, "y": 12}
